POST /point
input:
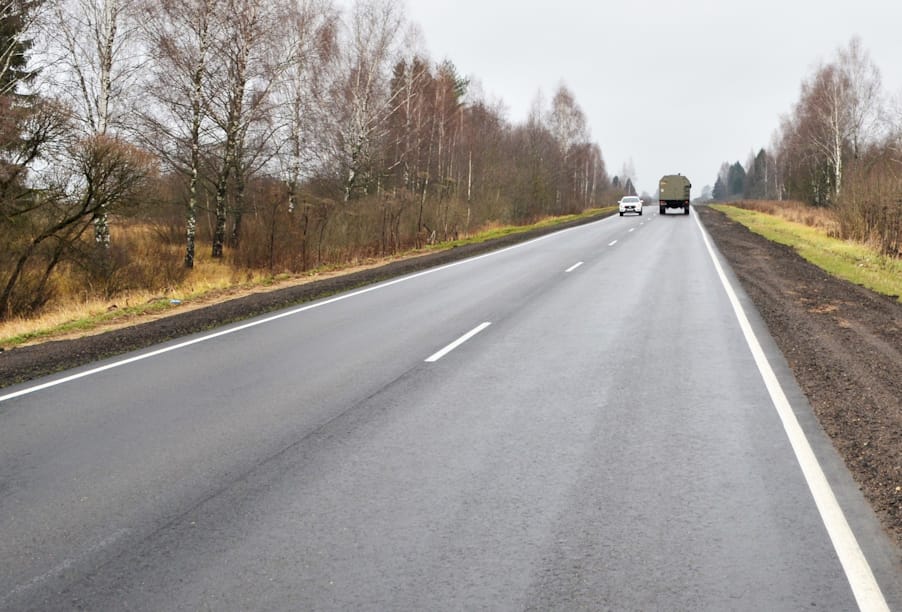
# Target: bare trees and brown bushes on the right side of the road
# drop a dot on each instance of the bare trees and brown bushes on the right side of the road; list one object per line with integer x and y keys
{"x": 839, "y": 147}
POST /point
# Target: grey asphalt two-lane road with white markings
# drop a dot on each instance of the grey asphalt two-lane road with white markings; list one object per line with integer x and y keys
{"x": 577, "y": 422}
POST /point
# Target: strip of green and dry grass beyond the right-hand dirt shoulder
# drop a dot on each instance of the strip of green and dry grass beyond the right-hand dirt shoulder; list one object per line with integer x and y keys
{"x": 810, "y": 233}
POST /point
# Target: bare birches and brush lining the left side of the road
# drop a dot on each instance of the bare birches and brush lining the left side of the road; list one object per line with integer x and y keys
{"x": 274, "y": 134}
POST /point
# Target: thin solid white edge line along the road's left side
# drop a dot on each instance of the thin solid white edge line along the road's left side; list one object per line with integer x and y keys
{"x": 281, "y": 315}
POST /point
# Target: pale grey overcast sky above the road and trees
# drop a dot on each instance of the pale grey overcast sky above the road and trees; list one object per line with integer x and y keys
{"x": 672, "y": 86}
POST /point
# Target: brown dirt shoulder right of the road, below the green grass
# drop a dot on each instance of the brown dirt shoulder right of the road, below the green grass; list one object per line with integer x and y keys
{"x": 844, "y": 345}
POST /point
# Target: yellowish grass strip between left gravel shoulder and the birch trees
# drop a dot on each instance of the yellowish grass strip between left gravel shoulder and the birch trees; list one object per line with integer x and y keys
{"x": 212, "y": 282}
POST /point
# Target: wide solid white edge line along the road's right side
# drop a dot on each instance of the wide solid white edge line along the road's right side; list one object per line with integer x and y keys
{"x": 859, "y": 573}
